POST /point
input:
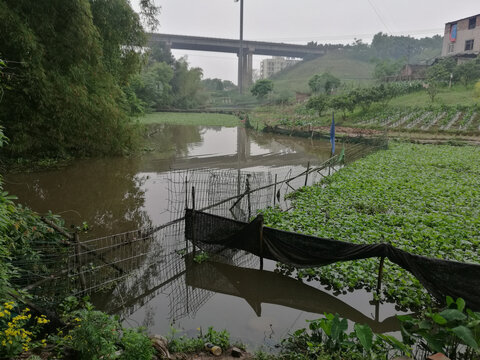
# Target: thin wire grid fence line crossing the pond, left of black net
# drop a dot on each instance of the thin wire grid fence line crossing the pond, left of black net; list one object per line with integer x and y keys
{"x": 111, "y": 262}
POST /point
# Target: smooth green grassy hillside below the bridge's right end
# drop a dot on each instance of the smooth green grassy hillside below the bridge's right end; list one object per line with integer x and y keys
{"x": 347, "y": 69}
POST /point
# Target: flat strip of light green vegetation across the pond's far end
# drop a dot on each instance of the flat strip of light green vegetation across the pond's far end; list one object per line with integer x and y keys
{"x": 204, "y": 119}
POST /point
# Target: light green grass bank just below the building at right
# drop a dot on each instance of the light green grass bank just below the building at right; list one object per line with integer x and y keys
{"x": 457, "y": 95}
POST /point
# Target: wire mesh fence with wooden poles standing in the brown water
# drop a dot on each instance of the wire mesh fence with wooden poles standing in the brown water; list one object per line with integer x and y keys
{"x": 127, "y": 270}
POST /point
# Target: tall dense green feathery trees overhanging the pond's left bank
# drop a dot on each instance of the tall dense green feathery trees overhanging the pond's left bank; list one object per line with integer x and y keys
{"x": 68, "y": 64}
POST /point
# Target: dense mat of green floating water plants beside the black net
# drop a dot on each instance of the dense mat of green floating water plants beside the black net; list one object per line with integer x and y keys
{"x": 424, "y": 199}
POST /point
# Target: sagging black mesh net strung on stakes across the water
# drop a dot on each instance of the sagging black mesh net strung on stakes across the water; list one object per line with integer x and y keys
{"x": 439, "y": 277}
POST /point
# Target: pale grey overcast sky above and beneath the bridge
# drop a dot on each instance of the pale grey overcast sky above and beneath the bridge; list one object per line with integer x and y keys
{"x": 301, "y": 21}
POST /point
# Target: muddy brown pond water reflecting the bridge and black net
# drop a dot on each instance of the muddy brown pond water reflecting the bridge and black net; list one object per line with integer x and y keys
{"x": 114, "y": 195}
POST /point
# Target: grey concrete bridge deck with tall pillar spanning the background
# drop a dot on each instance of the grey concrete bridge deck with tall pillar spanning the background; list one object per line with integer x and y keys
{"x": 250, "y": 48}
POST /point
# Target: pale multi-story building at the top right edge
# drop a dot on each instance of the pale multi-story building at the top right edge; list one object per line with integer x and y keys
{"x": 462, "y": 37}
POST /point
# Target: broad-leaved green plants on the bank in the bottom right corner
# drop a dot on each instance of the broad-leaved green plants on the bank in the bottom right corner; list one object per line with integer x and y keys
{"x": 454, "y": 331}
